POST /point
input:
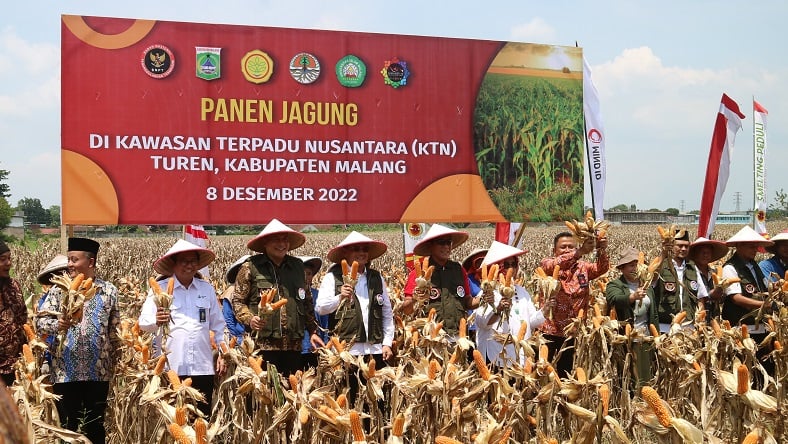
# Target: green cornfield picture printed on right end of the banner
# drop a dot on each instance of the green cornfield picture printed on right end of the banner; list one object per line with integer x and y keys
{"x": 528, "y": 134}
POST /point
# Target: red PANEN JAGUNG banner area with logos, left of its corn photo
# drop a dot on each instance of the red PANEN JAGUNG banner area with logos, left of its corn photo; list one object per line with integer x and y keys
{"x": 173, "y": 123}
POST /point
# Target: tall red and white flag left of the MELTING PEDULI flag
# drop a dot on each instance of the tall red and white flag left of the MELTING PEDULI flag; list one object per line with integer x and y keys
{"x": 718, "y": 167}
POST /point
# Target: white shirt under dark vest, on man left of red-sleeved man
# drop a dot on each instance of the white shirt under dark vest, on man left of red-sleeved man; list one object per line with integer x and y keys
{"x": 328, "y": 302}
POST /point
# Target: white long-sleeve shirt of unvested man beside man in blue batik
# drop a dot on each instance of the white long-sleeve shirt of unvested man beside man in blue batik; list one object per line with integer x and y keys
{"x": 195, "y": 312}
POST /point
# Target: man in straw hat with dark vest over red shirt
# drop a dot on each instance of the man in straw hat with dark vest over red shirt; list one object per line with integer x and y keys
{"x": 449, "y": 293}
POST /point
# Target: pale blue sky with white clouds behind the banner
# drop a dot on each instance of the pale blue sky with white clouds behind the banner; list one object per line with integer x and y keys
{"x": 660, "y": 68}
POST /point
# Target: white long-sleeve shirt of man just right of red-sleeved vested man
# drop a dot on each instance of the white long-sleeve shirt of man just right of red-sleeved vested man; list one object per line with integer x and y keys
{"x": 522, "y": 309}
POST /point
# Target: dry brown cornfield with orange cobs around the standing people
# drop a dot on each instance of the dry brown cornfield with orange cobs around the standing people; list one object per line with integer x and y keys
{"x": 708, "y": 385}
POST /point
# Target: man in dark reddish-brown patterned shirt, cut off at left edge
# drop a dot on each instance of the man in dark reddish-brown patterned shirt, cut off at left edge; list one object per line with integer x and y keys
{"x": 13, "y": 315}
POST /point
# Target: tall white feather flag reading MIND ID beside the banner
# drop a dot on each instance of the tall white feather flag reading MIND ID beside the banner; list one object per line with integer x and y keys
{"x": 595, "y": 142}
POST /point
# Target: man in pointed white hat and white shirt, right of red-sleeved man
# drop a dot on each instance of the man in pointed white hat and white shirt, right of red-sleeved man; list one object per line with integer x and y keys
{"x": 505, "y": 316}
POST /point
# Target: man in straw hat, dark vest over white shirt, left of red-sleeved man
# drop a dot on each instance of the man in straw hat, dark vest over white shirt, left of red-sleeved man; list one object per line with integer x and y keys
{"x": 360, "y": 311}
